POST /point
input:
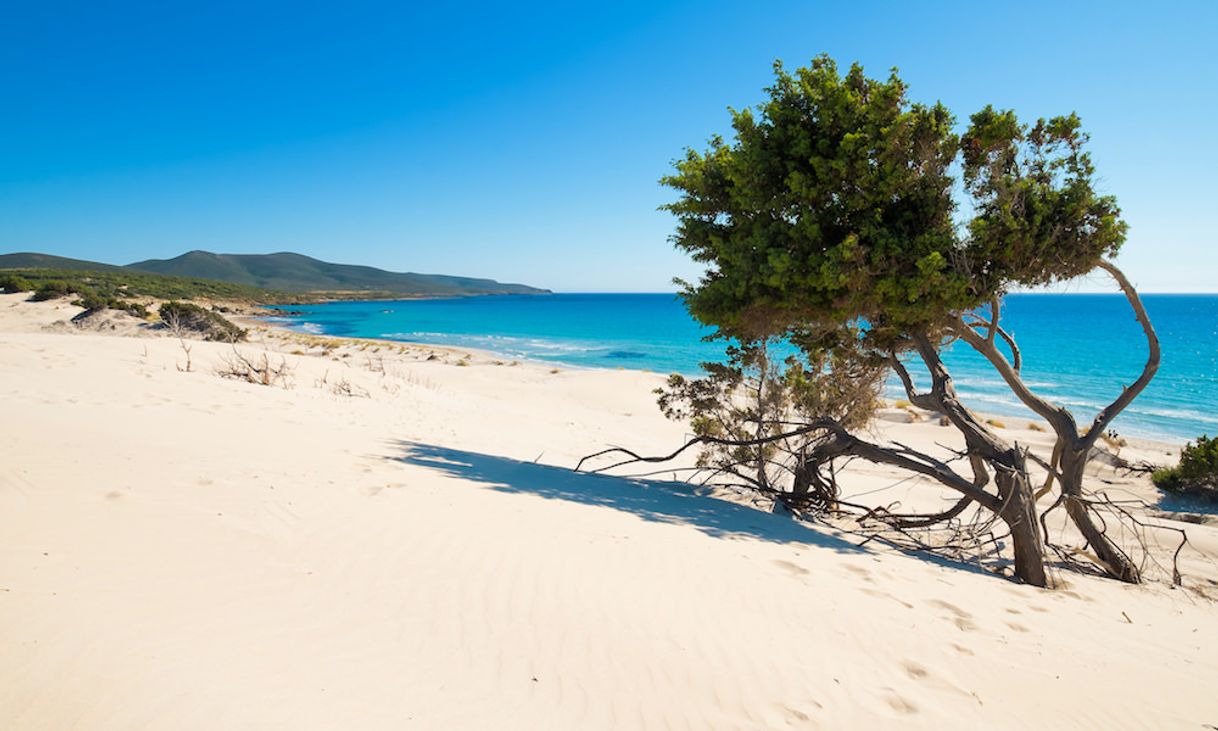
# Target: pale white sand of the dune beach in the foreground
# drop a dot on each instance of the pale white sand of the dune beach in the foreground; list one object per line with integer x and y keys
{"x": 180, "y": 551}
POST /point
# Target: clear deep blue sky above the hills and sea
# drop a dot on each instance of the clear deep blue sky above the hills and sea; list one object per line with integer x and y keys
{"x": 526, "y": 143}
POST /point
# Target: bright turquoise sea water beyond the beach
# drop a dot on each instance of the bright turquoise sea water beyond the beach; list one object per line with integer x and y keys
{"x": 1079, "y": 350}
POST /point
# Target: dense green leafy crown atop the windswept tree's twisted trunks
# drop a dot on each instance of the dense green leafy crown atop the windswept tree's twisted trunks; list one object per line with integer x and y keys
{"x": 835, "y": 208}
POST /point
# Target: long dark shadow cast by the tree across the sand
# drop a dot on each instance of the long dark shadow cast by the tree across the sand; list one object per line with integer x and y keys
{"x": 673, "y": 503}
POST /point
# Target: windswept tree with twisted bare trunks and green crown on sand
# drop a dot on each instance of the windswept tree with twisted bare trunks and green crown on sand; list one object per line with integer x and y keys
{"x": 869, "y": 233}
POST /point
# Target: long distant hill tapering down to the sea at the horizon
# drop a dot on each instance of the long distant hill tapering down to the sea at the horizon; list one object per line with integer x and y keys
{"x": 295, "y": 272}
